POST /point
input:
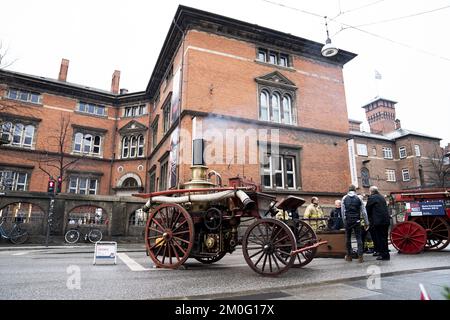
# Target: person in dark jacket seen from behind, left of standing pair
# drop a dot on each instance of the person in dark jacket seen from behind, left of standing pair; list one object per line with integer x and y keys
{"x": 352, "y": 209}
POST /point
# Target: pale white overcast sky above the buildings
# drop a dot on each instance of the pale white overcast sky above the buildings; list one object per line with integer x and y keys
{"x": 101, "y": 36}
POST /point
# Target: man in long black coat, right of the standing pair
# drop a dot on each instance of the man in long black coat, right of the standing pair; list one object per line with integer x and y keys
{"x": 380, "y": 220}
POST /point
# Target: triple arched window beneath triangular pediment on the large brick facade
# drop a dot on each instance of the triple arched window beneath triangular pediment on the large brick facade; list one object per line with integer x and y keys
{"x": 276, "y": 107}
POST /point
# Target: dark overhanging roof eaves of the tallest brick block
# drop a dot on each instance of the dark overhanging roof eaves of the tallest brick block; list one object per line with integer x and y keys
{"x": 187, "y": 18}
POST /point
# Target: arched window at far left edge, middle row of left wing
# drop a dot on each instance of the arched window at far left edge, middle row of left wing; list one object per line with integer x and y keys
{"x": 18, "y": 134}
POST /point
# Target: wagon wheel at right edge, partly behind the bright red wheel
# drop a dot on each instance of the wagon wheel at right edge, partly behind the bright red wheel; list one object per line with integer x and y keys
{"x": 438, "y": 232}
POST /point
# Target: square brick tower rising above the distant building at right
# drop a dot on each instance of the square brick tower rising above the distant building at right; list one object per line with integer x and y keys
{"x": 380, "y": 114}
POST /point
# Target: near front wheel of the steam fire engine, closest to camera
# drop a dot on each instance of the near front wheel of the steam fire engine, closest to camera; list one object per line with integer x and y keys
{"x": 267, "y": 244}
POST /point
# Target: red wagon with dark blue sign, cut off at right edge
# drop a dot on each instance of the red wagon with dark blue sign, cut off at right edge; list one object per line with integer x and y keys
{"x": 427, "y": 220}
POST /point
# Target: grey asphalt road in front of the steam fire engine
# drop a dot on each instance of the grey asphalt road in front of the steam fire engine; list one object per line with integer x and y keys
{"x": 69, "y": 273}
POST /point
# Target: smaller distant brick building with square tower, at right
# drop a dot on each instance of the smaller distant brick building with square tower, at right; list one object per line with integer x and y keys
{"x": 391, "y": 157}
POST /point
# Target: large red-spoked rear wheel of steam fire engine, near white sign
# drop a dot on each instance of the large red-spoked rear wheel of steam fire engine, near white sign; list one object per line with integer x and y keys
{"x": 169, "y": 235}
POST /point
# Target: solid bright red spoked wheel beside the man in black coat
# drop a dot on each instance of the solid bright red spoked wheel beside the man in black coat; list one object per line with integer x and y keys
{"x": 408, "y": 237}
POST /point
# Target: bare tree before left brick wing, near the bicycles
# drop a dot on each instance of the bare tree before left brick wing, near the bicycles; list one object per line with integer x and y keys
{"x": 56, "y": 160}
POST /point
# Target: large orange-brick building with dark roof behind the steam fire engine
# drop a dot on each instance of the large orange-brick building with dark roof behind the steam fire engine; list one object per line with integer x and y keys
{"x": 214, "y": 75}
